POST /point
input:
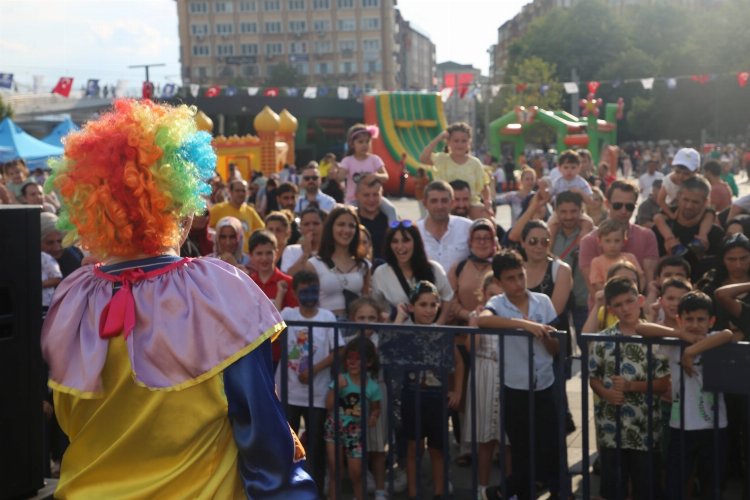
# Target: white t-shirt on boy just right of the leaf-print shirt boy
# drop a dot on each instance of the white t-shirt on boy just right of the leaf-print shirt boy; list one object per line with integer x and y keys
{"x": 699, "y": 405}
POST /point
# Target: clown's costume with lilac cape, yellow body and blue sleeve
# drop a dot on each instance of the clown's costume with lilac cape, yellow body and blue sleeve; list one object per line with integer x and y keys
{"x": 161, "y": 372}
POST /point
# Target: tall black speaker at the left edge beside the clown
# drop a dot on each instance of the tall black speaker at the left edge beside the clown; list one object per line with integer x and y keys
{"x": 21, "y": 383}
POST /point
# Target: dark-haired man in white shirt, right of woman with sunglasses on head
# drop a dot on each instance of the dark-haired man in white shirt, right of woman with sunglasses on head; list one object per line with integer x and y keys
{"x": 446, "y": 236}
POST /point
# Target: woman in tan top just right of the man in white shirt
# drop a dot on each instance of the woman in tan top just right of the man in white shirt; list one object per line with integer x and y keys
{"x": 466, "y": 277}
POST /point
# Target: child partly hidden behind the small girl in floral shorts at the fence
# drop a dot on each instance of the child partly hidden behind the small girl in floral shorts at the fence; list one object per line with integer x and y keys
{"x": 367, "y": 310}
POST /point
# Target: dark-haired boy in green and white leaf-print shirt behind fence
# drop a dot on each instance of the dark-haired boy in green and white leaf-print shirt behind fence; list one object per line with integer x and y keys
{"x": 627, "y": 390}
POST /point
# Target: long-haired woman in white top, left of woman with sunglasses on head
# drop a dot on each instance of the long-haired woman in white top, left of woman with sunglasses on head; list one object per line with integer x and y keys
{"x": 340, "y": 264}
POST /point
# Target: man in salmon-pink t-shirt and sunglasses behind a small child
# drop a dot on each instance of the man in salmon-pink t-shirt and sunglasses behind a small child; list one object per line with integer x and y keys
{"x": 621, "y": 199}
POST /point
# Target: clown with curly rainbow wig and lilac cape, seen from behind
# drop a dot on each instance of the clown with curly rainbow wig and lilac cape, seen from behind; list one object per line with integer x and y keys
{"x": 161, "y": 382}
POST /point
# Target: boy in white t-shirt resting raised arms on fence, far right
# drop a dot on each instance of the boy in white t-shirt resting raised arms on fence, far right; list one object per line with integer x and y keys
{"x": 696, "y": 427}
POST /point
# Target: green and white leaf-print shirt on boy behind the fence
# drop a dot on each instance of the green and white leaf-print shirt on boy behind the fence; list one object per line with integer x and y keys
{"x": 634, "y": 413}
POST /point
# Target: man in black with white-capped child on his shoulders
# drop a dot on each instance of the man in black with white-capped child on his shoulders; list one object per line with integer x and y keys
{"x": 692, "y": 199}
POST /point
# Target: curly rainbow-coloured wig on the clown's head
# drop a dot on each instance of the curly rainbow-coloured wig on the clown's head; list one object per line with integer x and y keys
{"x": 128, "y": 179}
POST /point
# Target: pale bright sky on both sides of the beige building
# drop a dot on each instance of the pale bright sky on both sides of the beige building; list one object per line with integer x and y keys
{"x": 101, "y": 38}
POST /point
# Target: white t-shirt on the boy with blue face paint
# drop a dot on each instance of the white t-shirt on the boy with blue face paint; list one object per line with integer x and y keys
{"x": 298, "y": 357}
